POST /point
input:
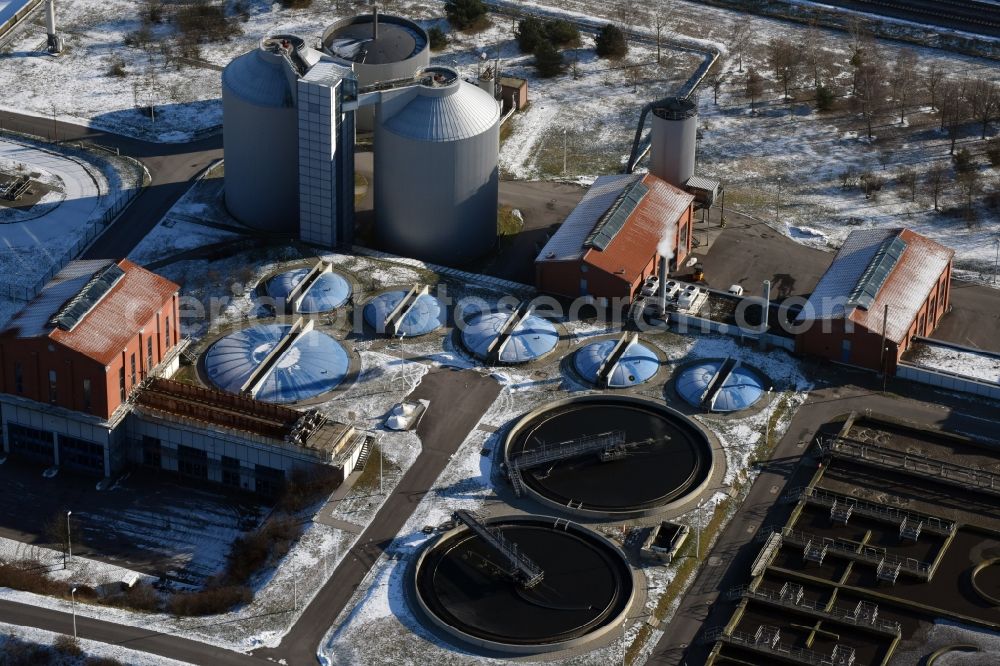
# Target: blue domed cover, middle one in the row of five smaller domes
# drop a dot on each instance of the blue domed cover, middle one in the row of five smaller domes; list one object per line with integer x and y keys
{"x": 533, "y": 338}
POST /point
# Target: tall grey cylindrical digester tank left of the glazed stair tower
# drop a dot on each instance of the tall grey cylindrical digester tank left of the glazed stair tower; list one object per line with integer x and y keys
{"x": 260, "y": 137}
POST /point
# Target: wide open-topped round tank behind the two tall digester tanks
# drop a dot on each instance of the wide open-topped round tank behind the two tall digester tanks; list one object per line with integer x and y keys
{"x": 379, "y": 47}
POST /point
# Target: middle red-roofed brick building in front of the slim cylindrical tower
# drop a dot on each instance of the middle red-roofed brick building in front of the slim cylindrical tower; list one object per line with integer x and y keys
{"x": 613, "y": 240}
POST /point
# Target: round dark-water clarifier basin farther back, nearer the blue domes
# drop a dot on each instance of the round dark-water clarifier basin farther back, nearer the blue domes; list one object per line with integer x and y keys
{"x": 665, "y": 460}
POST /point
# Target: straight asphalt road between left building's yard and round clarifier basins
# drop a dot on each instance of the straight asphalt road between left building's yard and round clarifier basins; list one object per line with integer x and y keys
{"x": 458, "y": 399}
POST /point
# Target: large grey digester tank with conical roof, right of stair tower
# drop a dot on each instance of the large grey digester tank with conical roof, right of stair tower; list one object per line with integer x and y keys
{"x": 436, "y": 169}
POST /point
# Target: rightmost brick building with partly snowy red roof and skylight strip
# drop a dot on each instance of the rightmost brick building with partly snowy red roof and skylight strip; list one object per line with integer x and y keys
{"x": 884, "y": 284}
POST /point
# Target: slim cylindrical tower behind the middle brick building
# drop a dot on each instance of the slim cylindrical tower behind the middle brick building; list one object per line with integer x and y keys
{"x": 673, "y": 140}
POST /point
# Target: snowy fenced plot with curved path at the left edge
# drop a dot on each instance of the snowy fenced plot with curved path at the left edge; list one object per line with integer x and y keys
{"x": 35, "y": 242}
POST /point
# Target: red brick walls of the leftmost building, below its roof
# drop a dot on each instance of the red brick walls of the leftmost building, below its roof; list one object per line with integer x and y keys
{"x": 40, "y": 355}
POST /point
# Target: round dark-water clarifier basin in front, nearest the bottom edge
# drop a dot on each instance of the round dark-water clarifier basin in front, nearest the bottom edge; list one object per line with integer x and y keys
{"x": 586, "y": 591}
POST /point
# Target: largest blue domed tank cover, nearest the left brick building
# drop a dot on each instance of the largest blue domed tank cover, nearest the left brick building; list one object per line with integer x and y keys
{"x": 313, "y": 365}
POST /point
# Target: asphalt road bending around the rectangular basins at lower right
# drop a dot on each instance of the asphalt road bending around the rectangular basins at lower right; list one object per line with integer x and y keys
{"x": 728, "y": 564}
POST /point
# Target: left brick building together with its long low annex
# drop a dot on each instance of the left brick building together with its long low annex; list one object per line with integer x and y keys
{"x": 82, "y": 387}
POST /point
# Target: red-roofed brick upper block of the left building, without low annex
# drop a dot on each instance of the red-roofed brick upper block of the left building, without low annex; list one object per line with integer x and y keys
{"x": 90, "y": 336}
